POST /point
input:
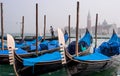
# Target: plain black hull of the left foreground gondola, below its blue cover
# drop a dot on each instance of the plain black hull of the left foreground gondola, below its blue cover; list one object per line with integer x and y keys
{"x": 38, "y": 69}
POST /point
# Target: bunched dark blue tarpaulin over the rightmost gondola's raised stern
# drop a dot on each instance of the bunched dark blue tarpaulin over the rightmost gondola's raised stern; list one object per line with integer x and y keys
{"x": 110, "y": 48}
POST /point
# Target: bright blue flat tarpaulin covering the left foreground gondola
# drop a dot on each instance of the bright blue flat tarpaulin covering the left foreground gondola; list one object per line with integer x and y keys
{"x": 48, "y": 57}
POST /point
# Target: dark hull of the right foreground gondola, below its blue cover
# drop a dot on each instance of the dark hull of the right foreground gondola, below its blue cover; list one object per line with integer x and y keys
{"x": 75, "y": 67}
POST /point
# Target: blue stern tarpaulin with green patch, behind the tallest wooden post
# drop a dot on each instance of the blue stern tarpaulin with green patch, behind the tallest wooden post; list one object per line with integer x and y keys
{"x": 84, "y": 43}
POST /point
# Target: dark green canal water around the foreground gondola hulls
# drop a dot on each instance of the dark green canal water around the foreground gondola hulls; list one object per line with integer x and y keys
{"x": 7, "y": 70}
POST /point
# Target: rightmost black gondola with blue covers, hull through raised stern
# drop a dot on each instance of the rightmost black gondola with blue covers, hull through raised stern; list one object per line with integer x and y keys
{"x": 99, "y": 60}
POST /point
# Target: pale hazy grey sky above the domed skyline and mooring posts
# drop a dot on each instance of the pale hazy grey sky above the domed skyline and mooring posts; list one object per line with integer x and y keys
{"x": 57, "y": 12}
